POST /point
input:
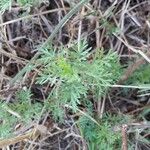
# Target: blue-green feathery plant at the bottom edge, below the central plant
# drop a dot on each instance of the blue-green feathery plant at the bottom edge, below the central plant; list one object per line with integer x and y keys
{"x": 102, "y": 136}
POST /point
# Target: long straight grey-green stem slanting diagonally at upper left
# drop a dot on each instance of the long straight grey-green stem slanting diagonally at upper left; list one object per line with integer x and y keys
{"x": 29, "y": 66}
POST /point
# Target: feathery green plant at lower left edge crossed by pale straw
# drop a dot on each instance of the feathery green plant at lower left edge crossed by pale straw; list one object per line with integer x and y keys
{"x": 21, "y": 111}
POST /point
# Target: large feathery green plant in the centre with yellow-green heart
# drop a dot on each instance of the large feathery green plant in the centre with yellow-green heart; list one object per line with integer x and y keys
{"x": 73, "y": 72}
